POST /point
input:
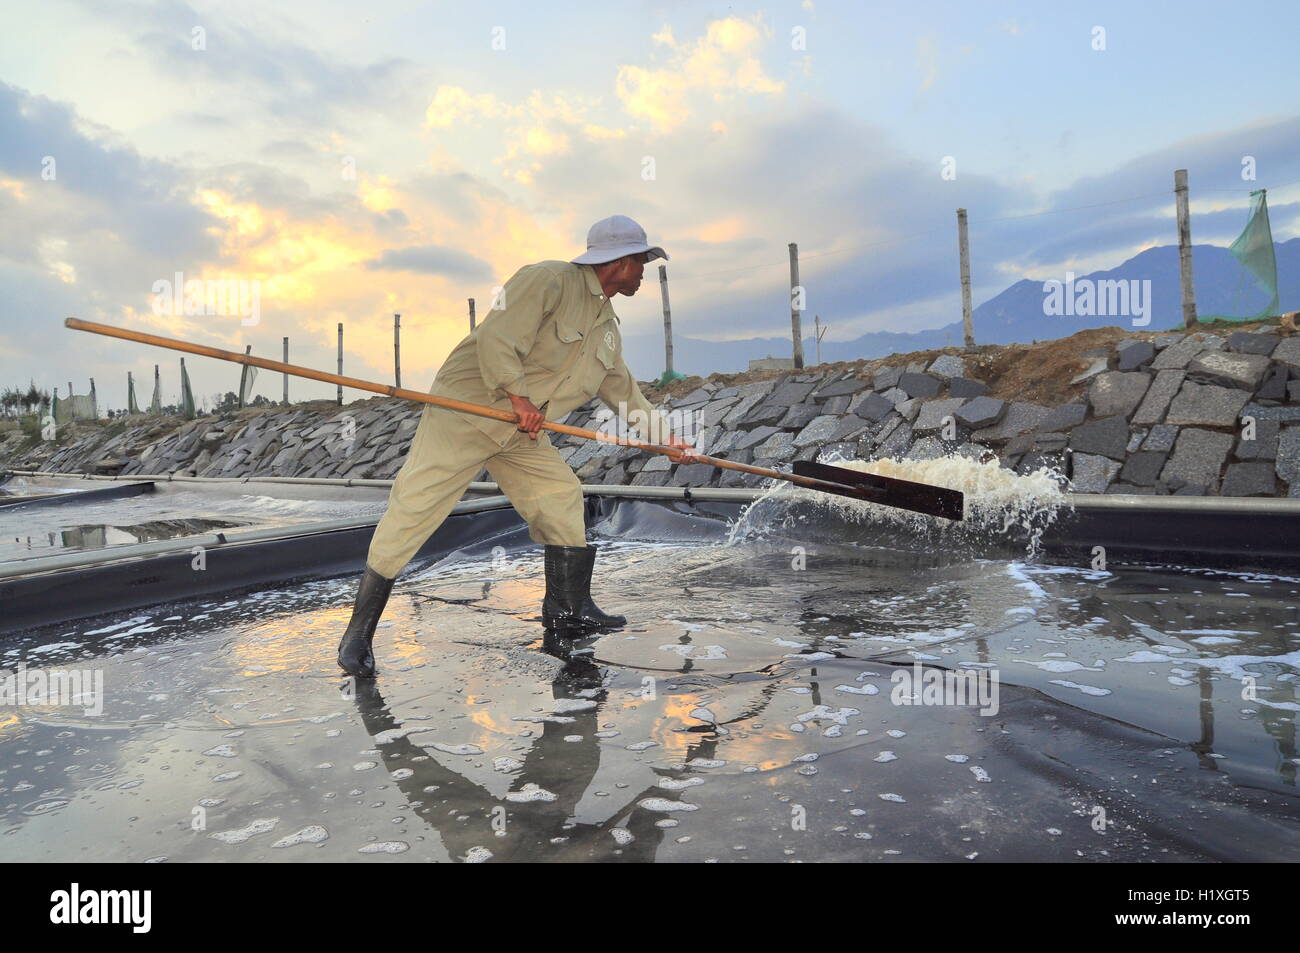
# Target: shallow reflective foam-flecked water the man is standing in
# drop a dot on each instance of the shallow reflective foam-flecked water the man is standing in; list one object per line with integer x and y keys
{"x": 748, "y": 713}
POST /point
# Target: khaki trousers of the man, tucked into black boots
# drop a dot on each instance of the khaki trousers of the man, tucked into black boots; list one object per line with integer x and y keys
{"x": 447, "y": 454}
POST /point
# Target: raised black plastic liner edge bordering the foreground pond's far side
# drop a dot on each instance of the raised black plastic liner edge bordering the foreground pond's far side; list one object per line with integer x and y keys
{"x": 1212, "y": 538}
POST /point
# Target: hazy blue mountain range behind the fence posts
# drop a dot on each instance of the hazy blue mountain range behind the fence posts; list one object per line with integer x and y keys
{"x": 1013, "y": 317}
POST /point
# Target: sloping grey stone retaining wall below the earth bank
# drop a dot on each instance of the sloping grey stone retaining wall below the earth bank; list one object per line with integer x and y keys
{"x": 1177, "y": 414}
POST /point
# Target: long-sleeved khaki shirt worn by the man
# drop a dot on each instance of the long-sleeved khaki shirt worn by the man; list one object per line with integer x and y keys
{"x": 552, "y": 337}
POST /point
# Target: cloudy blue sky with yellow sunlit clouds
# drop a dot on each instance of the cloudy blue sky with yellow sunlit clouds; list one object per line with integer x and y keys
{"x": 362, "y": 159}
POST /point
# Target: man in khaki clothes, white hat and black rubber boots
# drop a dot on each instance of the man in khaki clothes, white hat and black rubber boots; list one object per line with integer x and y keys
{"x": 552, "y": 340}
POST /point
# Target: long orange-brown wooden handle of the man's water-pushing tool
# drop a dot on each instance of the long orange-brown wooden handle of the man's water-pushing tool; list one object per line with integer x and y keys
{"x": 450, "y": 404}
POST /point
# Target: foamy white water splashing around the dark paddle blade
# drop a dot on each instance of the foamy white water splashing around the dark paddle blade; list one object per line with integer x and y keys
{"x": 1000, "y": 505}
